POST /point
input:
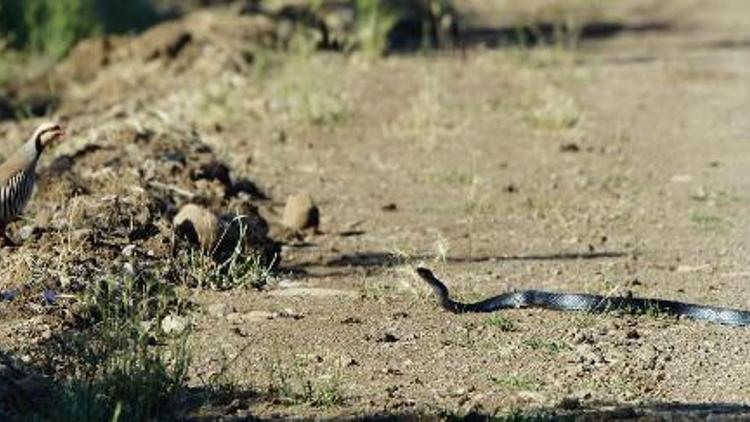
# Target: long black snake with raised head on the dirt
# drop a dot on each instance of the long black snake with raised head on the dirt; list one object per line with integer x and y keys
{"x": 584, "y": 302}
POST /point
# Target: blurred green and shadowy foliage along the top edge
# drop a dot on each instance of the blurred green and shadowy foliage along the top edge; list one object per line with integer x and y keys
{"x": 53, "y": 27}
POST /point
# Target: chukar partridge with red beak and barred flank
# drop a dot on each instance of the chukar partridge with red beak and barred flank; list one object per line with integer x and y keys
{"x": 18, "y": 174}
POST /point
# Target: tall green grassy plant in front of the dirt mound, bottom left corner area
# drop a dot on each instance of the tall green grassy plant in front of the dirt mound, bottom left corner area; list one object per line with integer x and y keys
{"x": 124, "y": 366}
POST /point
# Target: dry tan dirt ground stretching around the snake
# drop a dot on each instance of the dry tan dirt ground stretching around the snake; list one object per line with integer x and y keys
{"x": 615, "y": 167}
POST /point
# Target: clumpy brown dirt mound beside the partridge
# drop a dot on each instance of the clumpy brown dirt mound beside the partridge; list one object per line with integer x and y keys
{"x": 111, "y": 199}
